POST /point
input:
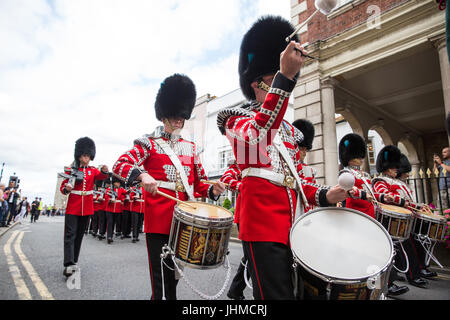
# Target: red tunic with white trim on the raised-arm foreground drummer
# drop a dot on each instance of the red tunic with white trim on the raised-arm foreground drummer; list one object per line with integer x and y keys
{"x": 266, "y": 209}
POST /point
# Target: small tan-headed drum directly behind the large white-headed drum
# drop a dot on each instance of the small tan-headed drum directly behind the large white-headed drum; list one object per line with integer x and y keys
{"x": 396, "y": 220}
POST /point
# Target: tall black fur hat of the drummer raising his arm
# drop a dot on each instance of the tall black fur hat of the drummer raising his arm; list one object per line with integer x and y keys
{"x": 260, "y": 50}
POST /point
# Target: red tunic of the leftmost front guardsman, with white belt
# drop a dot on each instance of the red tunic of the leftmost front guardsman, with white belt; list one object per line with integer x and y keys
{"x": 83, "y": 205}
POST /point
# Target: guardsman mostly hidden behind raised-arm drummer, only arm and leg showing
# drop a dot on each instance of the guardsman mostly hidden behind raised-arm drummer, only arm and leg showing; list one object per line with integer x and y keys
{"x": 232, "y": 178}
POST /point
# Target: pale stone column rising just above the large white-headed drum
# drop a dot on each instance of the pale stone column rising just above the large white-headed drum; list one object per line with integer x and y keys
{"x": 329, "y": 132}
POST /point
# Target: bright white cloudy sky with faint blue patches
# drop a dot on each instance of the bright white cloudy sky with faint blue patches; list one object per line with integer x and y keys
{"x": 92, "y": 68}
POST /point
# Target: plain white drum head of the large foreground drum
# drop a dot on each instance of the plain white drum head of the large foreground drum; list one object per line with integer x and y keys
{"x": 341, "y": 243}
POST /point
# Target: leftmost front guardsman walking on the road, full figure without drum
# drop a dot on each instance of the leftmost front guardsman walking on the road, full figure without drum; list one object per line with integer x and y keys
{"x": 80, "y": 204}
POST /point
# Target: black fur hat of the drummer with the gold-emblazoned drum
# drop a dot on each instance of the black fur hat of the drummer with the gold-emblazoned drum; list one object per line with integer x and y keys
{"x": 176, "y": 98}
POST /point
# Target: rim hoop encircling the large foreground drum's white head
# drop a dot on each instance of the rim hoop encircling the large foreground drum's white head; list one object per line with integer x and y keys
{"x": 332, "y": 279}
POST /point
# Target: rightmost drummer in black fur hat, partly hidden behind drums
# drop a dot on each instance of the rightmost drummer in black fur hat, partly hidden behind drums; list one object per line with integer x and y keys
{"x": 414, "y": 249}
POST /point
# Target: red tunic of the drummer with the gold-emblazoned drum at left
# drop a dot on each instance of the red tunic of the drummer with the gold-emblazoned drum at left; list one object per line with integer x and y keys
{"x": 147, "y": 153}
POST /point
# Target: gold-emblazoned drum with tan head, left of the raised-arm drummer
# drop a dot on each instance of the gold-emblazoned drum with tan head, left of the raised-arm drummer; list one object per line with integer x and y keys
{"x": 199, "y": 237}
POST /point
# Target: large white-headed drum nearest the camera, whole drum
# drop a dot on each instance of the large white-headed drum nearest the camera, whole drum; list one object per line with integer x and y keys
{"x": 342, "y": 254}
